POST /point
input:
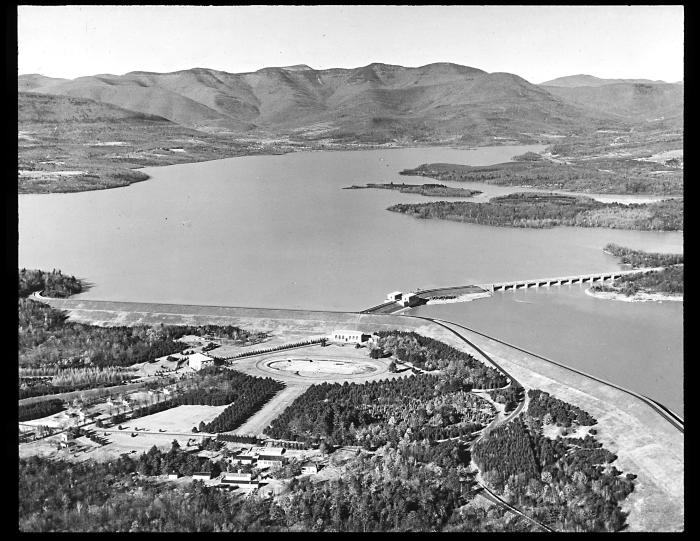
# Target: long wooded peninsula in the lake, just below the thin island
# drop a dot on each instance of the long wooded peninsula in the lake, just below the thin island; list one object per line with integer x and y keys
{"x": 541, "y": 210}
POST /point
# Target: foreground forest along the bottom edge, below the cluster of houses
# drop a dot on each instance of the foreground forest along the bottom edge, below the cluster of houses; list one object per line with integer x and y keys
{"x": 395, "y": 491}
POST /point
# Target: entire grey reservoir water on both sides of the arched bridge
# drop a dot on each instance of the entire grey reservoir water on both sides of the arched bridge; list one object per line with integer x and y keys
{"x": 278, "y": 231}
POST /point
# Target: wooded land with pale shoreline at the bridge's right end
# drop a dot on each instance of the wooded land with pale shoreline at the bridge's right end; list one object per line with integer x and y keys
{"x": 663, "y": 285}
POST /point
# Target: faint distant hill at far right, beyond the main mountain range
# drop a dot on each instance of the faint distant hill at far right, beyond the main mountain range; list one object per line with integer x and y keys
{"x": 637, "y": 102}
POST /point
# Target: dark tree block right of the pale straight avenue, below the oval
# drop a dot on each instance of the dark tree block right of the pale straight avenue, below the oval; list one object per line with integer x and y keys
{"x": 374, "y": 413}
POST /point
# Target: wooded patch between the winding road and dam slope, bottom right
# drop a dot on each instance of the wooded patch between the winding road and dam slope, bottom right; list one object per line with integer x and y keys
{"x": 569, "y": 483}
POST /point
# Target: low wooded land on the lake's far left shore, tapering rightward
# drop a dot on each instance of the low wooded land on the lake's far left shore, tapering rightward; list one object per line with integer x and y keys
{"x": 68, "y": 144}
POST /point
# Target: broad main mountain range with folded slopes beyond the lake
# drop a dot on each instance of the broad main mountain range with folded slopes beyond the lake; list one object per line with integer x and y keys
{"x": 378, "y": 102}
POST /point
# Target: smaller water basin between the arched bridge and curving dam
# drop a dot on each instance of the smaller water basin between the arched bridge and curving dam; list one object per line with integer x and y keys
{"x": 636, "y": 345}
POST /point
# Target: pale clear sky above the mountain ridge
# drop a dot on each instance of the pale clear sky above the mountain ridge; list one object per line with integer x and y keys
{"x": 536, "y": 42}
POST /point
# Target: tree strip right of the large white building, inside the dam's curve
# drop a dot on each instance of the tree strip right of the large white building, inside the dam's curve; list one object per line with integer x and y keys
{"x": 459, "y": 367}
